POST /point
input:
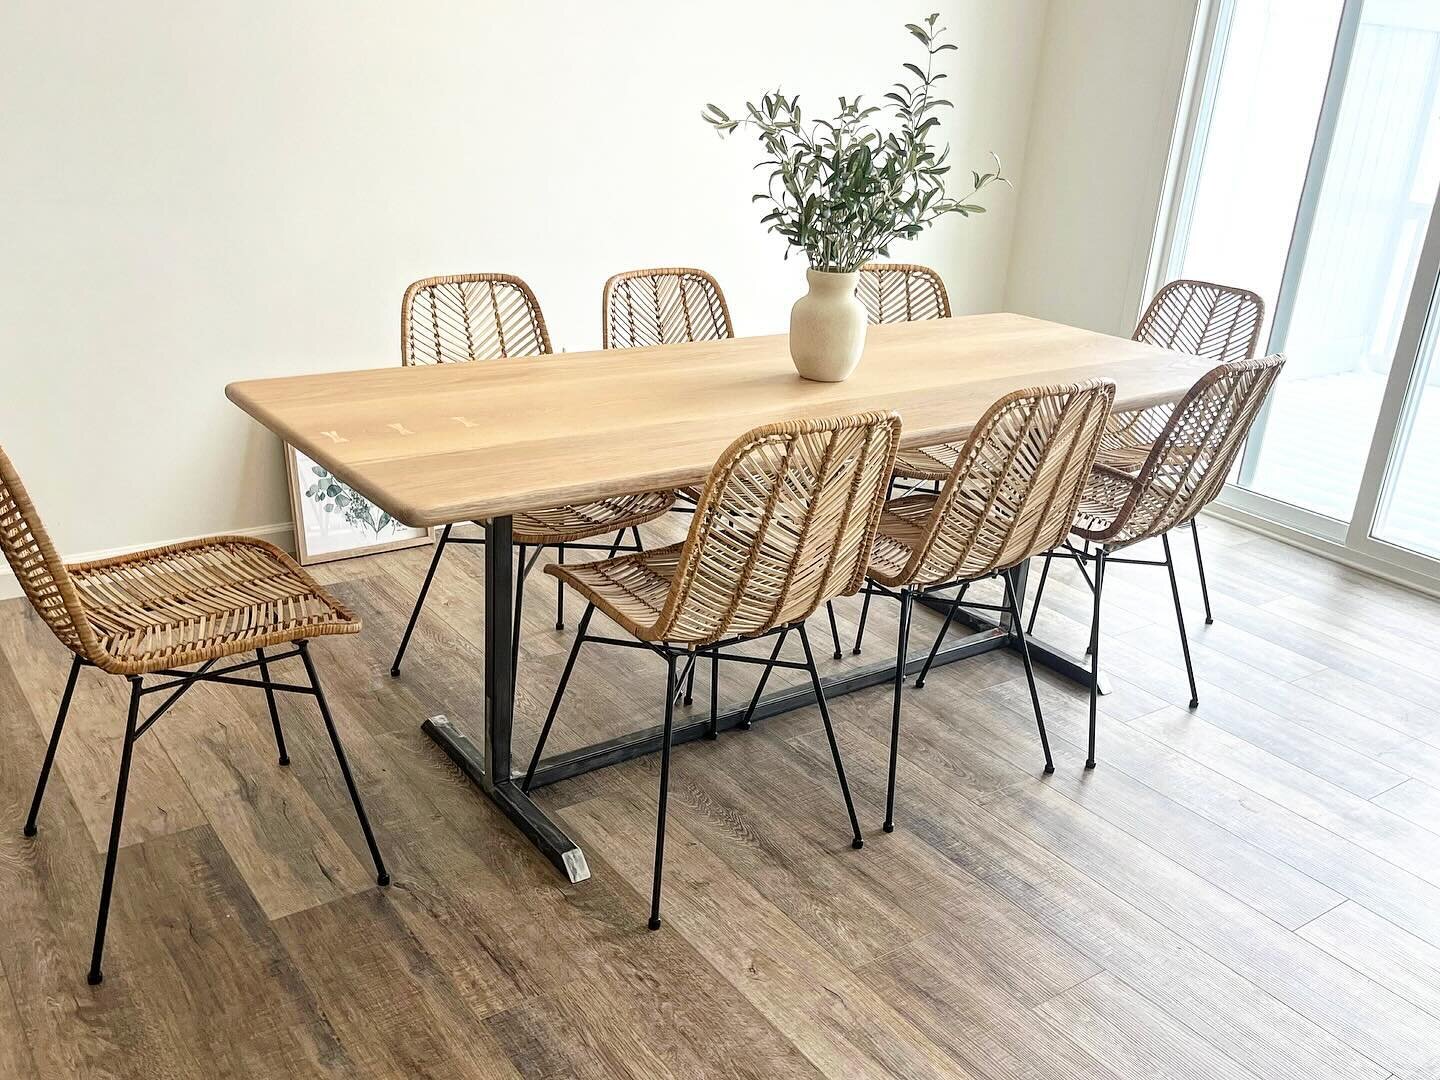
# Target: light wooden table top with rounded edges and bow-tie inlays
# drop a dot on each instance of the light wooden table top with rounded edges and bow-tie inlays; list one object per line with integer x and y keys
{"x": 457, "y": 443}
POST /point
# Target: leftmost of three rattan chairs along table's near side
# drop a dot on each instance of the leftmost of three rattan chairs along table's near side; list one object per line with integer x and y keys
{"x": 786, "y": 522}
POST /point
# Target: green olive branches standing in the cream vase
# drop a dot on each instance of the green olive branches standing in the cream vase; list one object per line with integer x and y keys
{"x": 845, "y": 189}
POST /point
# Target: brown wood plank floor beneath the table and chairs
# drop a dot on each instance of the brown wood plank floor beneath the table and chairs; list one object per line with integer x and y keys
{"x": 1249, "y": 892}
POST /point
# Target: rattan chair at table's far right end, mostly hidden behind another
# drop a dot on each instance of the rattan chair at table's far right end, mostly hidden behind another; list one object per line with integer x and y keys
{"x": 1220, "y": 323}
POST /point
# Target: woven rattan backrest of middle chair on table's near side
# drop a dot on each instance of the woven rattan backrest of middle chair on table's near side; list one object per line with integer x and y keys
{"x": 1014, "y": 489}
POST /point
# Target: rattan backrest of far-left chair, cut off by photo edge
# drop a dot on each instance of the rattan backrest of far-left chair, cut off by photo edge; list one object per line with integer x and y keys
{"x": 40, "y": 570}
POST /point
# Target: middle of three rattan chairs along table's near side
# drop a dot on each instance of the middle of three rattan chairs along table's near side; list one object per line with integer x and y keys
{"x": 1012, "y": 493}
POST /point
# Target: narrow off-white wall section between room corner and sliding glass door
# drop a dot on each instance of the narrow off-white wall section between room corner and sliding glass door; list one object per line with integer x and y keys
{"x": 1111, "y": 77}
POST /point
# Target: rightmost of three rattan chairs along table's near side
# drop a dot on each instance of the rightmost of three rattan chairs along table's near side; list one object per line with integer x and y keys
{"x": 1190, "y": 459}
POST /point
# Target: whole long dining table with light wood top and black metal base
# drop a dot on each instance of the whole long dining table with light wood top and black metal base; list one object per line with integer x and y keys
{"x": 447, "y": 444}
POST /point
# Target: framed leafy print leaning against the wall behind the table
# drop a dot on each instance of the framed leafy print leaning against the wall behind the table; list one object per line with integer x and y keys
{"x": 336, "y": 522}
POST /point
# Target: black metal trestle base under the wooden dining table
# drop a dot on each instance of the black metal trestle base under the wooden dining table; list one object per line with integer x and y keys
{"x": 487, "y": 764}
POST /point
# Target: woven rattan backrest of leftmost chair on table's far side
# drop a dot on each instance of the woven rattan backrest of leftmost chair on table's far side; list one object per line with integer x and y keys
{"x": 470, "y": 318}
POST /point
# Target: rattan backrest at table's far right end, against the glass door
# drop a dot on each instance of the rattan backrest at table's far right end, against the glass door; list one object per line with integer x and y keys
{"x": 1216, "y": 322}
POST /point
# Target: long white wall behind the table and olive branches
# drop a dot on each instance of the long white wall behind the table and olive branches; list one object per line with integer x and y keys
{"x": 197, "y": 194}
